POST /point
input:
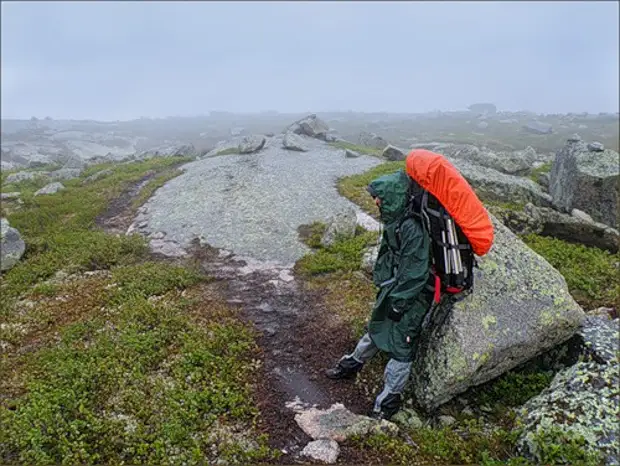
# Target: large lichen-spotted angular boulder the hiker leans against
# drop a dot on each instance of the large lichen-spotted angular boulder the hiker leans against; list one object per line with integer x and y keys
{"x": 520, "y": 308}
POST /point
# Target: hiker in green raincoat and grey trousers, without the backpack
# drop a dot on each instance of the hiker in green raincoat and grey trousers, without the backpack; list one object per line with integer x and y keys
{"x": 404, "y": 297}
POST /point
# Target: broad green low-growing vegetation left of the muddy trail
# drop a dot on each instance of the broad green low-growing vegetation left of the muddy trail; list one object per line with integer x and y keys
{"x": 109, "y": 357}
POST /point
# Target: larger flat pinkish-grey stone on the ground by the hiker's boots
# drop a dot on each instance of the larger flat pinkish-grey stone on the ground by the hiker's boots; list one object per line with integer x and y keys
{"x": 338, "y": 423}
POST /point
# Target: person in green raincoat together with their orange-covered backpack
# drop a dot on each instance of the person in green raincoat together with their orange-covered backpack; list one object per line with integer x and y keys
{"x": 434, "y": 224}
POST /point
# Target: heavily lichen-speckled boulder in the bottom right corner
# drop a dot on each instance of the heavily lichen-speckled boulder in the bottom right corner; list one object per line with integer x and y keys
{"x": 582, "y": 402}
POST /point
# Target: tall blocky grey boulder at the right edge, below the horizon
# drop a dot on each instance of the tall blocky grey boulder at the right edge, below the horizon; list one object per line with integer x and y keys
{"x": 586, "y": 180}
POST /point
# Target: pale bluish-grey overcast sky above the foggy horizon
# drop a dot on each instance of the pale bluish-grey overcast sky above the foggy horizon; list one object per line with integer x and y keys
{"x": 123, "y": 60}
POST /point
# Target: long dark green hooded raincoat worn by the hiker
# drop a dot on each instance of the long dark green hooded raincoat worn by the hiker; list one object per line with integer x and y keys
{"x": 405, "y": 268}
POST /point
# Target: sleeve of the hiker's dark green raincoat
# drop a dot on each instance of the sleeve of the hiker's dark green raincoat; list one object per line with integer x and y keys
{"x": 413, "y": 266}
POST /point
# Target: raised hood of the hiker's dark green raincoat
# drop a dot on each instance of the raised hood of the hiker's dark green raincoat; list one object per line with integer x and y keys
{"x": 392, "y": 190}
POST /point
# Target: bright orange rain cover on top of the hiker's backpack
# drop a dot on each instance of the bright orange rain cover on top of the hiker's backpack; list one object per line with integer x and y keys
{"x": 440, "y": 178}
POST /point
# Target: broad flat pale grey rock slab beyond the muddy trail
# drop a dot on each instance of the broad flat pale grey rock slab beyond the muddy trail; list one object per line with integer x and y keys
{"x": 252, "y": 204}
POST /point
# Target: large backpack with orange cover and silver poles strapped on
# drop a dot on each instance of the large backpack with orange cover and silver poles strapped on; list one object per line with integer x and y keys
{"x": 456, "y": 220}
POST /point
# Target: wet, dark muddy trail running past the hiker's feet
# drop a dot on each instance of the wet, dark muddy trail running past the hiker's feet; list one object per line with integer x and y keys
{"x": 299, "y": 340}
